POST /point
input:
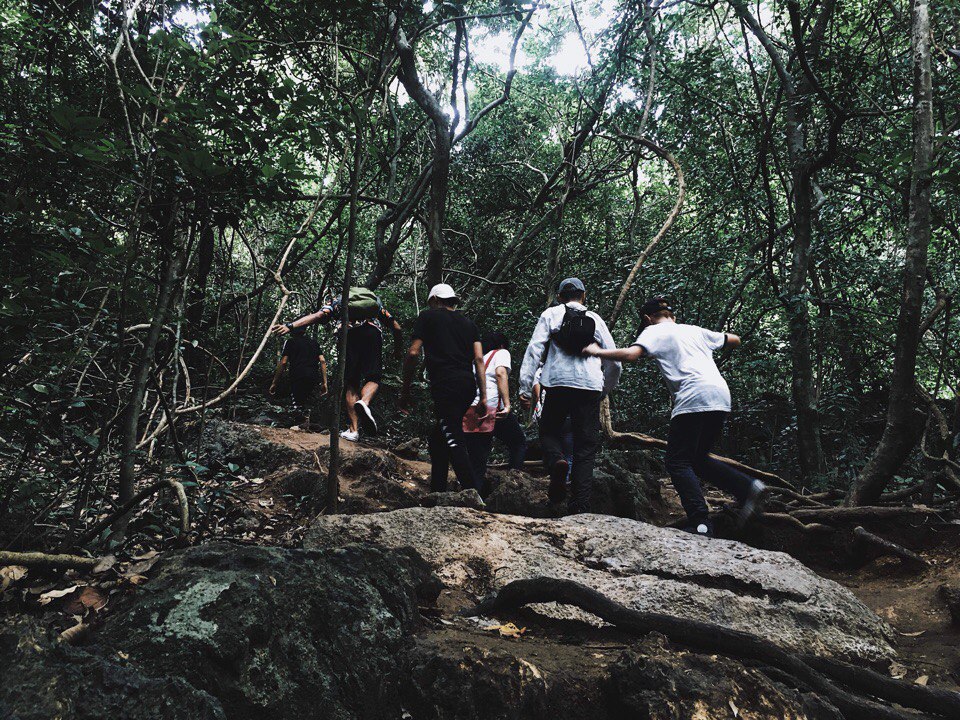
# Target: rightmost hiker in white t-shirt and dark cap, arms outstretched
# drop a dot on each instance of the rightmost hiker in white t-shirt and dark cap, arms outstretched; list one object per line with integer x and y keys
{"x": 701, "y": 404}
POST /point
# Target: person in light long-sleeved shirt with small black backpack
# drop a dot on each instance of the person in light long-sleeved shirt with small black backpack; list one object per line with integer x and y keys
{"x": 575, "y": 386}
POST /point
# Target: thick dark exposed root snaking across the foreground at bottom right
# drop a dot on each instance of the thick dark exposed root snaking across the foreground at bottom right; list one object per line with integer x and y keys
{"x": 817, "y": 674}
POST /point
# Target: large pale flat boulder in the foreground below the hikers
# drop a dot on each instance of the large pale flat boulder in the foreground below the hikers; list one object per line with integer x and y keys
{"x": 634, "y": 563}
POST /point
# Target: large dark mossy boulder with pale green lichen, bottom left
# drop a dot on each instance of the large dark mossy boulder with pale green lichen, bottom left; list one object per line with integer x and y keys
{"x": 278, "y": 633}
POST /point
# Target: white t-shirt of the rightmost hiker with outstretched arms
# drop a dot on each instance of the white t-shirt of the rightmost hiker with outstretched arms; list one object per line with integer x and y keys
{"x": 685, "y": 356}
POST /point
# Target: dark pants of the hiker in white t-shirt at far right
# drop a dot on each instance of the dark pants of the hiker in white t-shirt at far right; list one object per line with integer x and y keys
{"x": 692, "y": 435}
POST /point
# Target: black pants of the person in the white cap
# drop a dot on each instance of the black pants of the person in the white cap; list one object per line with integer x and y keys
{"x": 451, "y": 398}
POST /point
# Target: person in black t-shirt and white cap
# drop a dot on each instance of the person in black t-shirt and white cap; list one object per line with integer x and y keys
{"x": 454, "y": 360}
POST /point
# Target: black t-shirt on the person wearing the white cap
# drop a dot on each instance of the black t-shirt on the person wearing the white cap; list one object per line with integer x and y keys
{"x": 448, "y": 337}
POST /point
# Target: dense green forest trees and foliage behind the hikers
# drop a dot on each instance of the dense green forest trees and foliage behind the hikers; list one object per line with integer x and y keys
{"x": 179, "y": 176}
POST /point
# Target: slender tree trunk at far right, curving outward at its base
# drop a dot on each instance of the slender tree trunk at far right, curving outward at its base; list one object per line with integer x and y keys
{"x": 899, "y": 435}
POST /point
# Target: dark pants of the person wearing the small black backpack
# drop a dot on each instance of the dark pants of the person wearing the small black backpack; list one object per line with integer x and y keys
{"x": 583, "y": 409}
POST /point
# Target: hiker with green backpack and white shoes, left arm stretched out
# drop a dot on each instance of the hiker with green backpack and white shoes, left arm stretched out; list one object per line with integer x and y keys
{"x": 364, "y": 357}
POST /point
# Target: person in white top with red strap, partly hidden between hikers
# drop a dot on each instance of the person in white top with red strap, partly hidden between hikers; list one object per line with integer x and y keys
{"x": 507, "y": 429}
